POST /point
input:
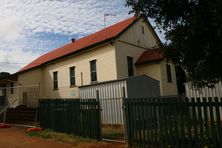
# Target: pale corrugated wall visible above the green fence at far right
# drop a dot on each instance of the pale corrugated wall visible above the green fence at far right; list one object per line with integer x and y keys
{"x": 192, "y": 92}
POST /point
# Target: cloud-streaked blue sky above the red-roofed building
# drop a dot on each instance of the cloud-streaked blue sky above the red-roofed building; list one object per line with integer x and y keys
{"x": 30, "y": 28}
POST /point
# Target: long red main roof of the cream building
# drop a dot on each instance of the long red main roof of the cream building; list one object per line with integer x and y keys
{"x": 93, "y": 39}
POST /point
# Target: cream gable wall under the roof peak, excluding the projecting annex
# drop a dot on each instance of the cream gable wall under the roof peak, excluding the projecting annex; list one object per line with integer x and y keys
{"x": 133, "y": 43}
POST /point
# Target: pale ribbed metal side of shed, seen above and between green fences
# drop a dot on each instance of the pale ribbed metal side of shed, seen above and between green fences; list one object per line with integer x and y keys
{"x": 110, "y": 96}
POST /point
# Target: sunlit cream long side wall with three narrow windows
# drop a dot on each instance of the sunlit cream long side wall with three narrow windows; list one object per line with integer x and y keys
{"x": 106, "y": 70}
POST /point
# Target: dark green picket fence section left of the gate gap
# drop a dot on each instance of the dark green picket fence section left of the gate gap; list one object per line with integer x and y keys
{"x": 72, "y": 116}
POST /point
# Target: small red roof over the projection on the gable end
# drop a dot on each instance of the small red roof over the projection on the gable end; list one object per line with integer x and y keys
{"x": 149, "y": 56}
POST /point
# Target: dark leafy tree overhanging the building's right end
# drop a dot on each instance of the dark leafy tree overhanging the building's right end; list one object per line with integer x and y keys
{"x": 193, "y": 30}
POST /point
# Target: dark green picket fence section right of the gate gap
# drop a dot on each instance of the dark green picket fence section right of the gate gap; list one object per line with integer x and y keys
{"x": 174, "y": 122}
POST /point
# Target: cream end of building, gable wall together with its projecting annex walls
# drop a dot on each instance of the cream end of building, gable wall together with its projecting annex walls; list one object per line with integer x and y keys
{"x": 133, "y": 43}
